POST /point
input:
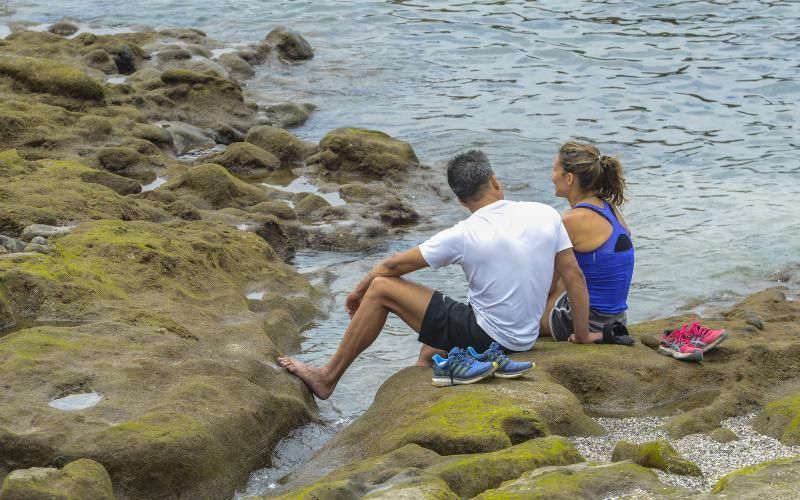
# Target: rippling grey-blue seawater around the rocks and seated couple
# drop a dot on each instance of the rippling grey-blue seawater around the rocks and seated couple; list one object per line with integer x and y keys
{"x": 698, "y": 99}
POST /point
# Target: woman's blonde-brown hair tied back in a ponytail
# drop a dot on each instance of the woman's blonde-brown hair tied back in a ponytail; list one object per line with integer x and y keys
{"x": 597, "y": 173}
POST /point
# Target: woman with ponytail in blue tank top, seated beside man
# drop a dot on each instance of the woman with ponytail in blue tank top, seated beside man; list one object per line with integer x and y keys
{"x": 594, "y": 185}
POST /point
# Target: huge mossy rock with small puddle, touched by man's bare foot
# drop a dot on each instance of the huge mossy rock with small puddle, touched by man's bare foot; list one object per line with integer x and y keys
{"x": 149, "y": 296}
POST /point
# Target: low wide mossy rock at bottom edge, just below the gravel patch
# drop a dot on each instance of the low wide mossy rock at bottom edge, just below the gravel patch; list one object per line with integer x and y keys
{"x": 586, "y": 480}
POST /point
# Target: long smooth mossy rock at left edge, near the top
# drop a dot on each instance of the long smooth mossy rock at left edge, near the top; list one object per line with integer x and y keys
{"x": 44, "y": 75}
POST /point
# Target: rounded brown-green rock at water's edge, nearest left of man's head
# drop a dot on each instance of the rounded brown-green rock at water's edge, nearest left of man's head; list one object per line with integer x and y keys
{"x": 361, "y": 151}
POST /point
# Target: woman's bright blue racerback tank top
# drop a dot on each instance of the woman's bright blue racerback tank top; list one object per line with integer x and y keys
{"x": 609, "y": 268}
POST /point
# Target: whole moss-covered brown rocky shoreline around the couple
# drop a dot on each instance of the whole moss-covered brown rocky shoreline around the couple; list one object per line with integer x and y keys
{"x": 169, "y": 303}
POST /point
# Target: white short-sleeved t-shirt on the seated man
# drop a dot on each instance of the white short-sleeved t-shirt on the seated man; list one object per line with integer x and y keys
{"x": 507, "y": 250}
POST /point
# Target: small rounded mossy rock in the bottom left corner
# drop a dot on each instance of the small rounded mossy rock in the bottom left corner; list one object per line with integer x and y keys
{"x": 79, "y": 479}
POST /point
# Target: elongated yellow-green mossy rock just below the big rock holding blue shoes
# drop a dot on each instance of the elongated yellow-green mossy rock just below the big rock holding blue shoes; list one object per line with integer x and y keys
{"x": 470, "y": 475}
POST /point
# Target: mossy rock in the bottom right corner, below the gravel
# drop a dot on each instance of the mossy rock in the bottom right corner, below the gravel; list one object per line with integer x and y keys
{"x": 775, "y": 479}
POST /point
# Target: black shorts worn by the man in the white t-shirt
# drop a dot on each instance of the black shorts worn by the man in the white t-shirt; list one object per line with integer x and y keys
{"x": 448, "y": 323}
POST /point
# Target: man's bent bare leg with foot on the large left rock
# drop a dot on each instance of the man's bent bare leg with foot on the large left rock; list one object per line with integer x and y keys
{"x": 406, "y": 299}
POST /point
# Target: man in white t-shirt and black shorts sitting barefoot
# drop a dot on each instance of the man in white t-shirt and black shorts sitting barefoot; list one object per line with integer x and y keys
{"x": 508, "y": 251}
